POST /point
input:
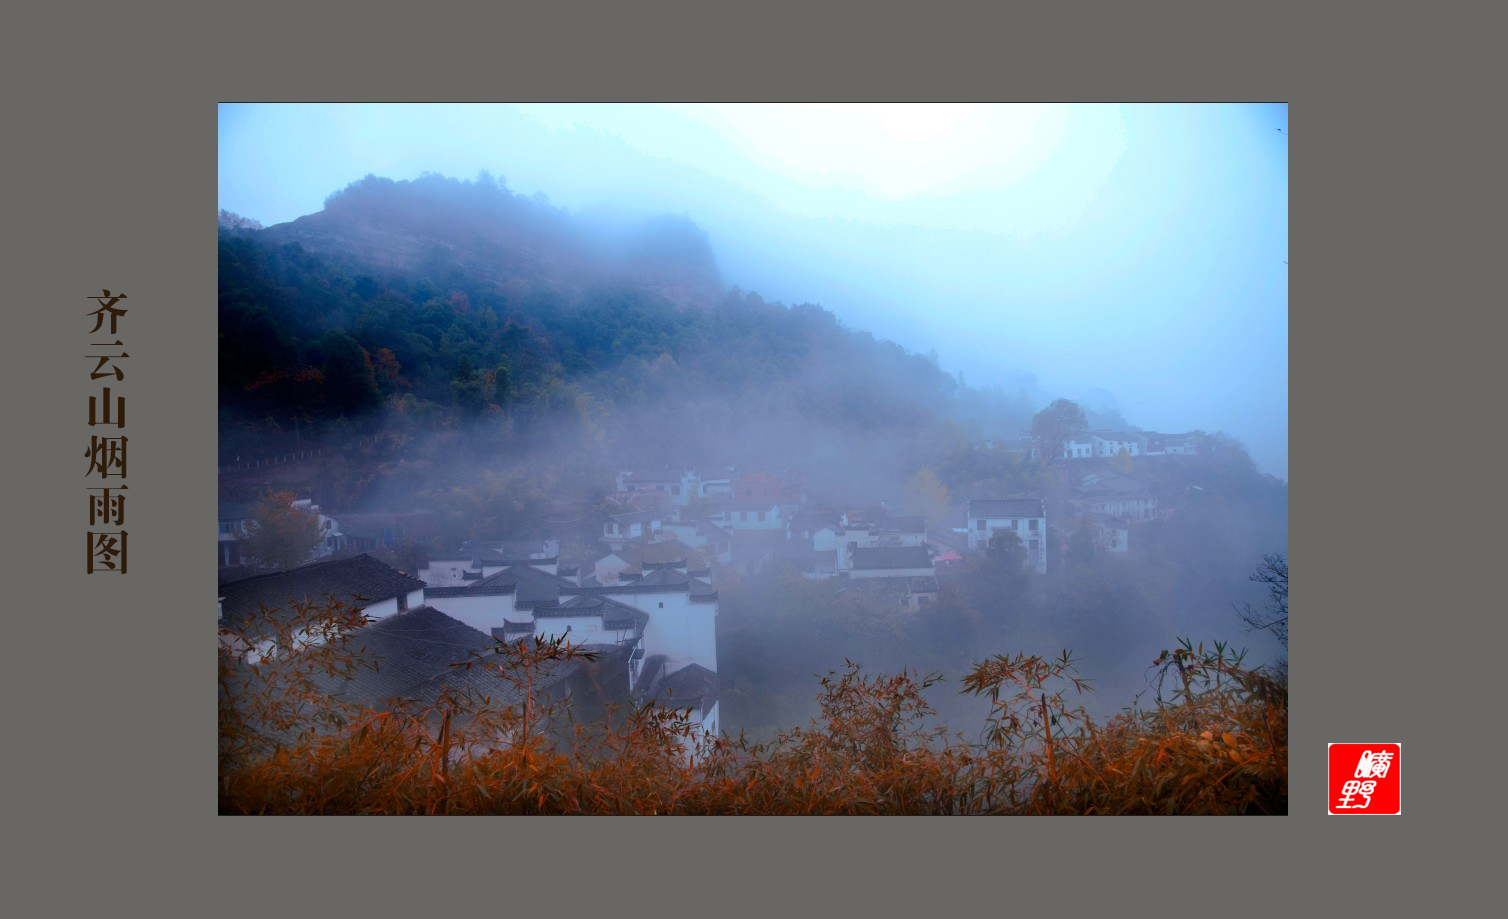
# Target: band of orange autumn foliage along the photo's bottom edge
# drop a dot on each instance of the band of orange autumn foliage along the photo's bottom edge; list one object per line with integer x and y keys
{"x": 1219, "y": 745}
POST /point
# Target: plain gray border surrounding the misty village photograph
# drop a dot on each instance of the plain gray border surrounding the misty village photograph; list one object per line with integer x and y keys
{"x": 114, "y": 177}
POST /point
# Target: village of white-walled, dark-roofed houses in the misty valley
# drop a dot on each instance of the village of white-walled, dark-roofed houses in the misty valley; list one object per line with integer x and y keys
{"x": 645, "y": 600}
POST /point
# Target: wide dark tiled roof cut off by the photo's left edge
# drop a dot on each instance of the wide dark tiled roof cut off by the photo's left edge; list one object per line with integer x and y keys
{"x": 360, "y": 582}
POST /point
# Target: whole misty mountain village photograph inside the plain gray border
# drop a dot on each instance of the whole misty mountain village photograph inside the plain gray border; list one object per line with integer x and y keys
{"x": 753, "y": 459}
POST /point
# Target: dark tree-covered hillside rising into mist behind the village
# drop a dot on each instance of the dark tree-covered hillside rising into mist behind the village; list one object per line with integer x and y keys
{"x": 406, "y": 313}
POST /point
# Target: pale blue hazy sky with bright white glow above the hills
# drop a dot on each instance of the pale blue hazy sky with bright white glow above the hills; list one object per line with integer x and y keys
{"x": 1136, "y": 250}
